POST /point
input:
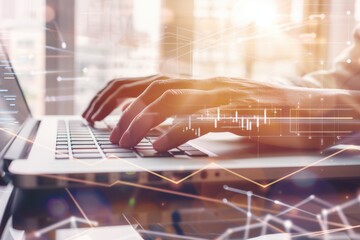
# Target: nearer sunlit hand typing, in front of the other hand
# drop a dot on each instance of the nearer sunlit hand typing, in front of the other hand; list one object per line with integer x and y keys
{"x": 183, "y": 97}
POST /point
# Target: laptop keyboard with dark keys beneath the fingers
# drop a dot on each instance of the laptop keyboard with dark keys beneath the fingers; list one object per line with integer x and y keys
{"x": 76, "y": 140}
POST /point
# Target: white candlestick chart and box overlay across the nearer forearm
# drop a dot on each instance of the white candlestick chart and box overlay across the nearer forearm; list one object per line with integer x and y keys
{"x": 296, "y": 122}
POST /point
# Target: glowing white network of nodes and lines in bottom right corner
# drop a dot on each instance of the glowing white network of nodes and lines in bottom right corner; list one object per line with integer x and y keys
{"x": 342, "y": 229}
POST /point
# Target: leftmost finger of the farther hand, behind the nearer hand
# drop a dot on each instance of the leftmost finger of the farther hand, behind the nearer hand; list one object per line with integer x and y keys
{"x": 115, "y": 94}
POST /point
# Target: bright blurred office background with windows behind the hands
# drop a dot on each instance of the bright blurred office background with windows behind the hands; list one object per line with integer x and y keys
{"x": 65, "y": 50}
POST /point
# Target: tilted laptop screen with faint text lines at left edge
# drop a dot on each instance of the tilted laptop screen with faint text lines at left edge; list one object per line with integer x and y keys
{"x": 13, "y": 108}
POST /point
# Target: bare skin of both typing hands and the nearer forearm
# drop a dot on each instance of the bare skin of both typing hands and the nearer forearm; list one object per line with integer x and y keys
{"x": 159, "y": 97}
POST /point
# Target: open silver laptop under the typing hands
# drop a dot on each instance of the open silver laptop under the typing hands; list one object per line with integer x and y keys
{"x": 64, "y": 151}
